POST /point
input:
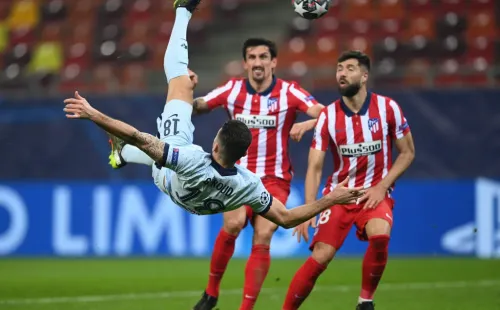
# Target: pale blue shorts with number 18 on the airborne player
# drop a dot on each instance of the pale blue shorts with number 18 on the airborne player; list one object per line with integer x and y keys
{"x": 175, "y": 128}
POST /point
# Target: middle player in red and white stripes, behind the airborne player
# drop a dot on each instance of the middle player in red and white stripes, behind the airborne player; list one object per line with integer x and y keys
{"x": 268, "y": 106}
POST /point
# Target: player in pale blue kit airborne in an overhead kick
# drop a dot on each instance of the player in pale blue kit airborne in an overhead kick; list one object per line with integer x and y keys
{"x": 197, "y": 181}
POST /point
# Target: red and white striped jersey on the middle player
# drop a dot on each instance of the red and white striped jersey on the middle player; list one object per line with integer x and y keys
{"x": 270, "y": 116}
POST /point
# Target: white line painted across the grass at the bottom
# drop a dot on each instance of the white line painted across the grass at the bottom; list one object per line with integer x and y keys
{"x": 189, "y": 294}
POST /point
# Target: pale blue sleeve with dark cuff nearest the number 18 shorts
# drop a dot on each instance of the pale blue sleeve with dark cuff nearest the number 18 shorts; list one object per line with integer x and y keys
{"x": 181, "y": 159}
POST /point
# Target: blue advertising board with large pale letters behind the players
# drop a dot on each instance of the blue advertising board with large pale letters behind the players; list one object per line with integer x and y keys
{"x": 135, "y": 219}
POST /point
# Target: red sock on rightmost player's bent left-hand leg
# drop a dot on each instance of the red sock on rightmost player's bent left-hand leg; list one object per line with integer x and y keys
{"x": 303, "y": 283}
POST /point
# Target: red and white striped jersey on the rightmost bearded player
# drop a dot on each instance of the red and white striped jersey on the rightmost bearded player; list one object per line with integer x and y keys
{"x": 361, "y": 143}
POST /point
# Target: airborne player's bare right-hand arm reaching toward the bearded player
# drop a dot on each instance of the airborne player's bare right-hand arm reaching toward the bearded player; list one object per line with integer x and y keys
{"x": 281, "y": 216}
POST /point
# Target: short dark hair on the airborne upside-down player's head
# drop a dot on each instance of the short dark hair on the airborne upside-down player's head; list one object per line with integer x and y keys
{"x": 234, "y": 138}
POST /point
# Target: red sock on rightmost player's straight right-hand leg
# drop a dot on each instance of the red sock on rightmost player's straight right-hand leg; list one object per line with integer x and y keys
{"x": 374, "y": 265}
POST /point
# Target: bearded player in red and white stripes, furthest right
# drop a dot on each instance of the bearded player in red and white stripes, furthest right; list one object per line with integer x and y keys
{"x": 360, "y": 129}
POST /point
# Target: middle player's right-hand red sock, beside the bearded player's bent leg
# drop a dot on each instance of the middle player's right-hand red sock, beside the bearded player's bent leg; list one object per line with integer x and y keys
{"x": 255, "y": 273}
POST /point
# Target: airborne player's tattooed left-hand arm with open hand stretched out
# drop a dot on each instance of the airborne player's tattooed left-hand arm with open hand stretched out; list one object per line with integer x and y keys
{"x": 79, "y": 108}
